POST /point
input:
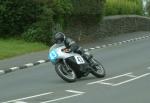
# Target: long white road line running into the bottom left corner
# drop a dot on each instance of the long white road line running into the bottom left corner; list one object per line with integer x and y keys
{"x": 15, "y": 100}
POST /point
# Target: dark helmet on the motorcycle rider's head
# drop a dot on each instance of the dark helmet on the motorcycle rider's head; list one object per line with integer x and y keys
{"x": 59, "y": 37}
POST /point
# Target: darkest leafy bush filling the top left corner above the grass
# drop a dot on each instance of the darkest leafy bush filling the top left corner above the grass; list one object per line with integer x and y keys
{"x": 16, "y": 15}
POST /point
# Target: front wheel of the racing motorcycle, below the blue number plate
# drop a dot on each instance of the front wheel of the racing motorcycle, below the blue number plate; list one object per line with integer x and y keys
{"x": 67, "y": 74}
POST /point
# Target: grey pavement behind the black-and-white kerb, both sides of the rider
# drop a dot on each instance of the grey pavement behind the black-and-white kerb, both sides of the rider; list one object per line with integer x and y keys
{"x": 43, "y": 55}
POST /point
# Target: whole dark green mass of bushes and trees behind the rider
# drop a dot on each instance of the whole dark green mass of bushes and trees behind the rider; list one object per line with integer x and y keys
{"x": 36, "y": 19}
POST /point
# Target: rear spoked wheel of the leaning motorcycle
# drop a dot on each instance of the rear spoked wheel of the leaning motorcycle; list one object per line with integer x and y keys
{"x": 98, "y": 69}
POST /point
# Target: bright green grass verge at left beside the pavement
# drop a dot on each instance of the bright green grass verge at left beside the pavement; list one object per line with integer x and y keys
{"x": 14, "y": 47}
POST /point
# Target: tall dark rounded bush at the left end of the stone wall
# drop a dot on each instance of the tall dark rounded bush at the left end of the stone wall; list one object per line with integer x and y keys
{"x": 86, "y": 13}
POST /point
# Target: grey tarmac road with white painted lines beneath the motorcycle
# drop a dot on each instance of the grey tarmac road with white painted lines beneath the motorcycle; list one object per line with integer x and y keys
{"x": 127, "y": 80}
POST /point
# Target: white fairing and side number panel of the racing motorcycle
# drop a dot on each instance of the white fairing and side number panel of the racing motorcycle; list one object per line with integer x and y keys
{"x": 62, "y": 55}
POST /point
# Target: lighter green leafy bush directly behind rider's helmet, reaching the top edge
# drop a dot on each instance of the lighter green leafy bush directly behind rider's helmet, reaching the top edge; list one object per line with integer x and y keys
{"x": 54, "y": 12}
